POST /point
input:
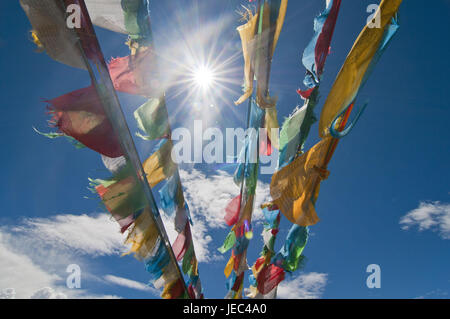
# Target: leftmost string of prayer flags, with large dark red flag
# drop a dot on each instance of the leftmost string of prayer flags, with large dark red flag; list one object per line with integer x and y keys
{"x": 85, "y": 115}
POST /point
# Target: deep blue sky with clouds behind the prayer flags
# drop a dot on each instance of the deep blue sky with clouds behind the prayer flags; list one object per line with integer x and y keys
{"x": 395, "y": 159}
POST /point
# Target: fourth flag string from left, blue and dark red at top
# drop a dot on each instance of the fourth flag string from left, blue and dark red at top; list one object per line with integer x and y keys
{"x": 293, "y": 135}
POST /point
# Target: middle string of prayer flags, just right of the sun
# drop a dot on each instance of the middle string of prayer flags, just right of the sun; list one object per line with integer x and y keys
{"x": 259, "y": 37}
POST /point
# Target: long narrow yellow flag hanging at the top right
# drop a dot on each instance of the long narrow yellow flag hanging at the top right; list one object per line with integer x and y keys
{"x": 352, "y": 73}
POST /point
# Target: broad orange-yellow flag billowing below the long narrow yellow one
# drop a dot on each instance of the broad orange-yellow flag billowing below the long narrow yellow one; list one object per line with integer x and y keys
{"x": 296, "y": 186}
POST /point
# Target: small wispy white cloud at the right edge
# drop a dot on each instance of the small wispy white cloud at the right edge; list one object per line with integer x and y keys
{"x": 434, "y": 216}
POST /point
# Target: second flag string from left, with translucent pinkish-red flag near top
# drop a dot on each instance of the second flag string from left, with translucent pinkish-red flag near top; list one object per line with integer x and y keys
{"x": 136, "y": 74}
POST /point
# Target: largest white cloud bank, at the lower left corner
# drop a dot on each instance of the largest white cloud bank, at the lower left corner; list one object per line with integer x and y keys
{"x": 34, "y": 255}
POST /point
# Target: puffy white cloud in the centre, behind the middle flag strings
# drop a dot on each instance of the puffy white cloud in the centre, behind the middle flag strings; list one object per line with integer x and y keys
{"x": 209, "y": 196}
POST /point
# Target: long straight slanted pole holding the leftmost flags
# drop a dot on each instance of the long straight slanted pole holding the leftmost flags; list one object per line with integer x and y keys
{"x": 115, "y": 114}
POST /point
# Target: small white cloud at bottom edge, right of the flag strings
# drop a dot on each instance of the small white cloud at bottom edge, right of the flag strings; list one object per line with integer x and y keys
{"x": 306, "y": 286}
